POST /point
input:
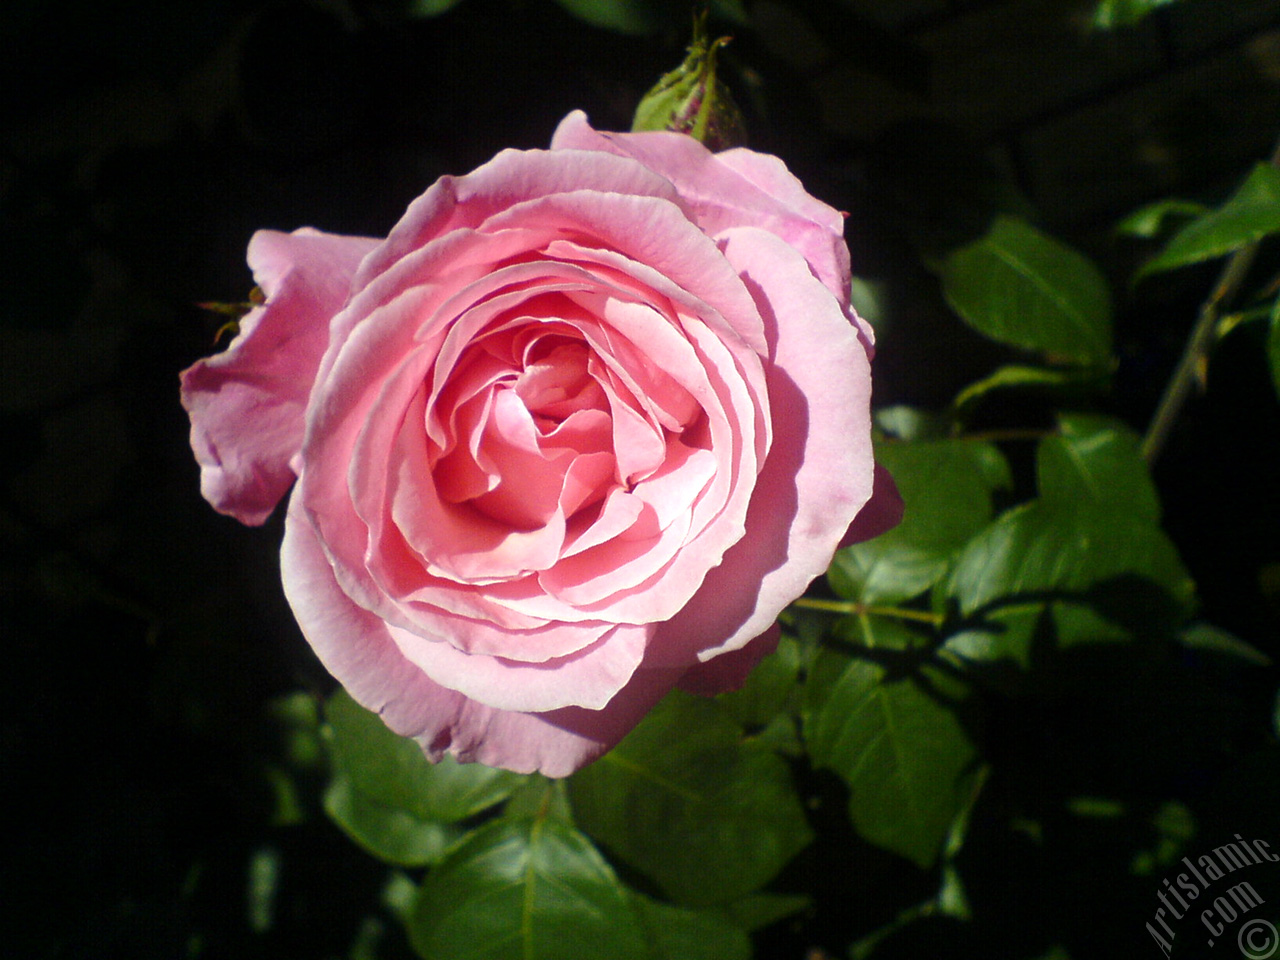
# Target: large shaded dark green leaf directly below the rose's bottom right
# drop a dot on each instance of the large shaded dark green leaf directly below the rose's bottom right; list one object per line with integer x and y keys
{"x": 684, "y": 801}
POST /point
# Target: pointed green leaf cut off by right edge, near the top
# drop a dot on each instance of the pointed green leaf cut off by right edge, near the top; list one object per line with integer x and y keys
{"x": 1251, "y": 214}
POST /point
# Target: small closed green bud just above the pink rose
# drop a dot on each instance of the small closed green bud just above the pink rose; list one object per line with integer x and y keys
{"x": 693, "y": 100}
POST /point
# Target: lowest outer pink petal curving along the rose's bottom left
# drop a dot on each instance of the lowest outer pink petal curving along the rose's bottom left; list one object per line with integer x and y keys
{"x": 358, "y": 650}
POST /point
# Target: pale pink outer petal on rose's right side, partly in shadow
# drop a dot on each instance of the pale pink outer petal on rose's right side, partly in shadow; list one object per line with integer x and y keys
{"x": 820, "y": 472}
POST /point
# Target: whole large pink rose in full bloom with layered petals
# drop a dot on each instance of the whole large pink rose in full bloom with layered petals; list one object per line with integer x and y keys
{"x": 573, "y": 435}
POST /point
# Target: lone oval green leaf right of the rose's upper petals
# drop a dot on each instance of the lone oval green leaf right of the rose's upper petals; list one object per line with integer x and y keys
{"x": 1025, "y": 289}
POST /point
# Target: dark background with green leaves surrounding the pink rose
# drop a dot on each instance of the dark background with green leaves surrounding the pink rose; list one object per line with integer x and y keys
{"x": 993, "y": 733}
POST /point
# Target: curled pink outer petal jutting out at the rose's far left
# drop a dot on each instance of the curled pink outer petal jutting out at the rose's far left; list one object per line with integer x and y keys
{"x": 248, "y": 404}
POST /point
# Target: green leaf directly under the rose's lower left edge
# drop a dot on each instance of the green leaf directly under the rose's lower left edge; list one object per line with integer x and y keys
{"x": 392, "y": 771}
